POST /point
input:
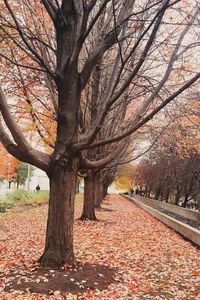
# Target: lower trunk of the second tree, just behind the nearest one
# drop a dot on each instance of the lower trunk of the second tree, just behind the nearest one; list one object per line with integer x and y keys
{"x": 88, "y": 212}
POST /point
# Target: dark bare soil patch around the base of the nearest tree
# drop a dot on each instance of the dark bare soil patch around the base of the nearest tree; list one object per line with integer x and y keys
{"x": 75, "y": 280}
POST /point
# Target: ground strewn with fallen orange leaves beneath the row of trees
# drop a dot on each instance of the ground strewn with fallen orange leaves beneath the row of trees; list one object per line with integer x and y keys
{"x": 127, "y": 254}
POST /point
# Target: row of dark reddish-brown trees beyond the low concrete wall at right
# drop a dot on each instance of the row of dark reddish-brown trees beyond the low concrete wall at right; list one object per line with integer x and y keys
{"x": 171, "y": 172}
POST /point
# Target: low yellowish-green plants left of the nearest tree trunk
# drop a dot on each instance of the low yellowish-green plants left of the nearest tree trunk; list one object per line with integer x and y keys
{"x": 21, "y": 198}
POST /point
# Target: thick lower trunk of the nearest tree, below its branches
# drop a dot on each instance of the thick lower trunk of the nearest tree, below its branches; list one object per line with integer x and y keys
{"x": 59, "y": 235}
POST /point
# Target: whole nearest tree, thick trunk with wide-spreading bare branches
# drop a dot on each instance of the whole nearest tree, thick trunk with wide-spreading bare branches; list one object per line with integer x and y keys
{"x": 52, "y": 42}
